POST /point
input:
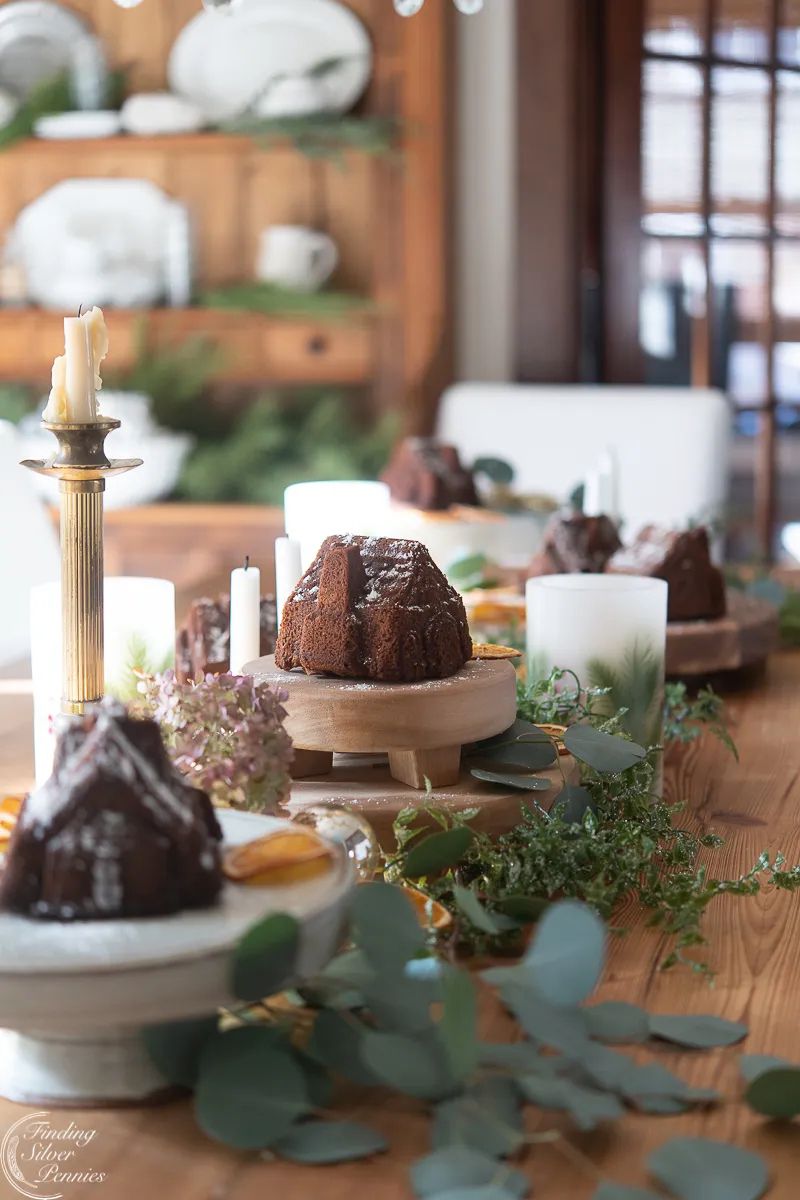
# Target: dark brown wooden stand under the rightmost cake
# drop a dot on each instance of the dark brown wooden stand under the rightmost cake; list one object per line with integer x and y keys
{"x": 742, "y": 639}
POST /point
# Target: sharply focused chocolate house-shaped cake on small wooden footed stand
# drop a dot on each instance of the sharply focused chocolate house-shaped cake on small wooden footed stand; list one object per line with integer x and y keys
{"x": 375, "y": 609}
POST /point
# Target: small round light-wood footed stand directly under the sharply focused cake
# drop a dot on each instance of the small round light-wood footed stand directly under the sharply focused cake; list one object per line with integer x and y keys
{"x": 422, "y": 727}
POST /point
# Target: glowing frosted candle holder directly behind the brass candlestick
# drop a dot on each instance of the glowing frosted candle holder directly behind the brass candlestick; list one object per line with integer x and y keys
{"x": 140, "y": 632}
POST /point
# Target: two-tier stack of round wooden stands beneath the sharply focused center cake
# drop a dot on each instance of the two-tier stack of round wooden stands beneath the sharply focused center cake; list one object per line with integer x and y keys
{"x": 389, "y": 739}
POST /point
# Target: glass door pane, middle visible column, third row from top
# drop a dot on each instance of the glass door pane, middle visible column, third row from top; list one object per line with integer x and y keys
{"x": 739, "y": 279}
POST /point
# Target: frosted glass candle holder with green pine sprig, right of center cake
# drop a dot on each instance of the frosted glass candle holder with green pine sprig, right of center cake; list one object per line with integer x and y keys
{"x": 611, "y": 631}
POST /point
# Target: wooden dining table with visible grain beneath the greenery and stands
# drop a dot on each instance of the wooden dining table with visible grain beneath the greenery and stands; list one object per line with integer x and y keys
{"x": 754, "y": 950}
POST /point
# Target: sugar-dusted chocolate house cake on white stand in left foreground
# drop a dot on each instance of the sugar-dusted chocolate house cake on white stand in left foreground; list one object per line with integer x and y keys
{"x": 116, "y": 832}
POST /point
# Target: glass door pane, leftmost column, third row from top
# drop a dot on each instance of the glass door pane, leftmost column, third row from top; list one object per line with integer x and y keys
{"x": 672, "y": 309}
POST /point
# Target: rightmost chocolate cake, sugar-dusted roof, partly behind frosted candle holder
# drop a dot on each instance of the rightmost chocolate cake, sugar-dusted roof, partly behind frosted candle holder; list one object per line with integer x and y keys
{"x": 684, "y": 560}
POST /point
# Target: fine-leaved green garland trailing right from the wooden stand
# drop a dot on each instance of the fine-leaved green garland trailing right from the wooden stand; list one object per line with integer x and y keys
{"x": 609, "y": 839}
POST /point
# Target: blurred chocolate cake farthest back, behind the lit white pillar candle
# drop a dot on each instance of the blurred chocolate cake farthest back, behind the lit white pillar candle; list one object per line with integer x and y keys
{"x": 430, "y": 476}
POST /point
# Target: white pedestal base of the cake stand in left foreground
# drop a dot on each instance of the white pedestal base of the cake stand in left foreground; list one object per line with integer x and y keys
{"x": 63, "y": 1072}
